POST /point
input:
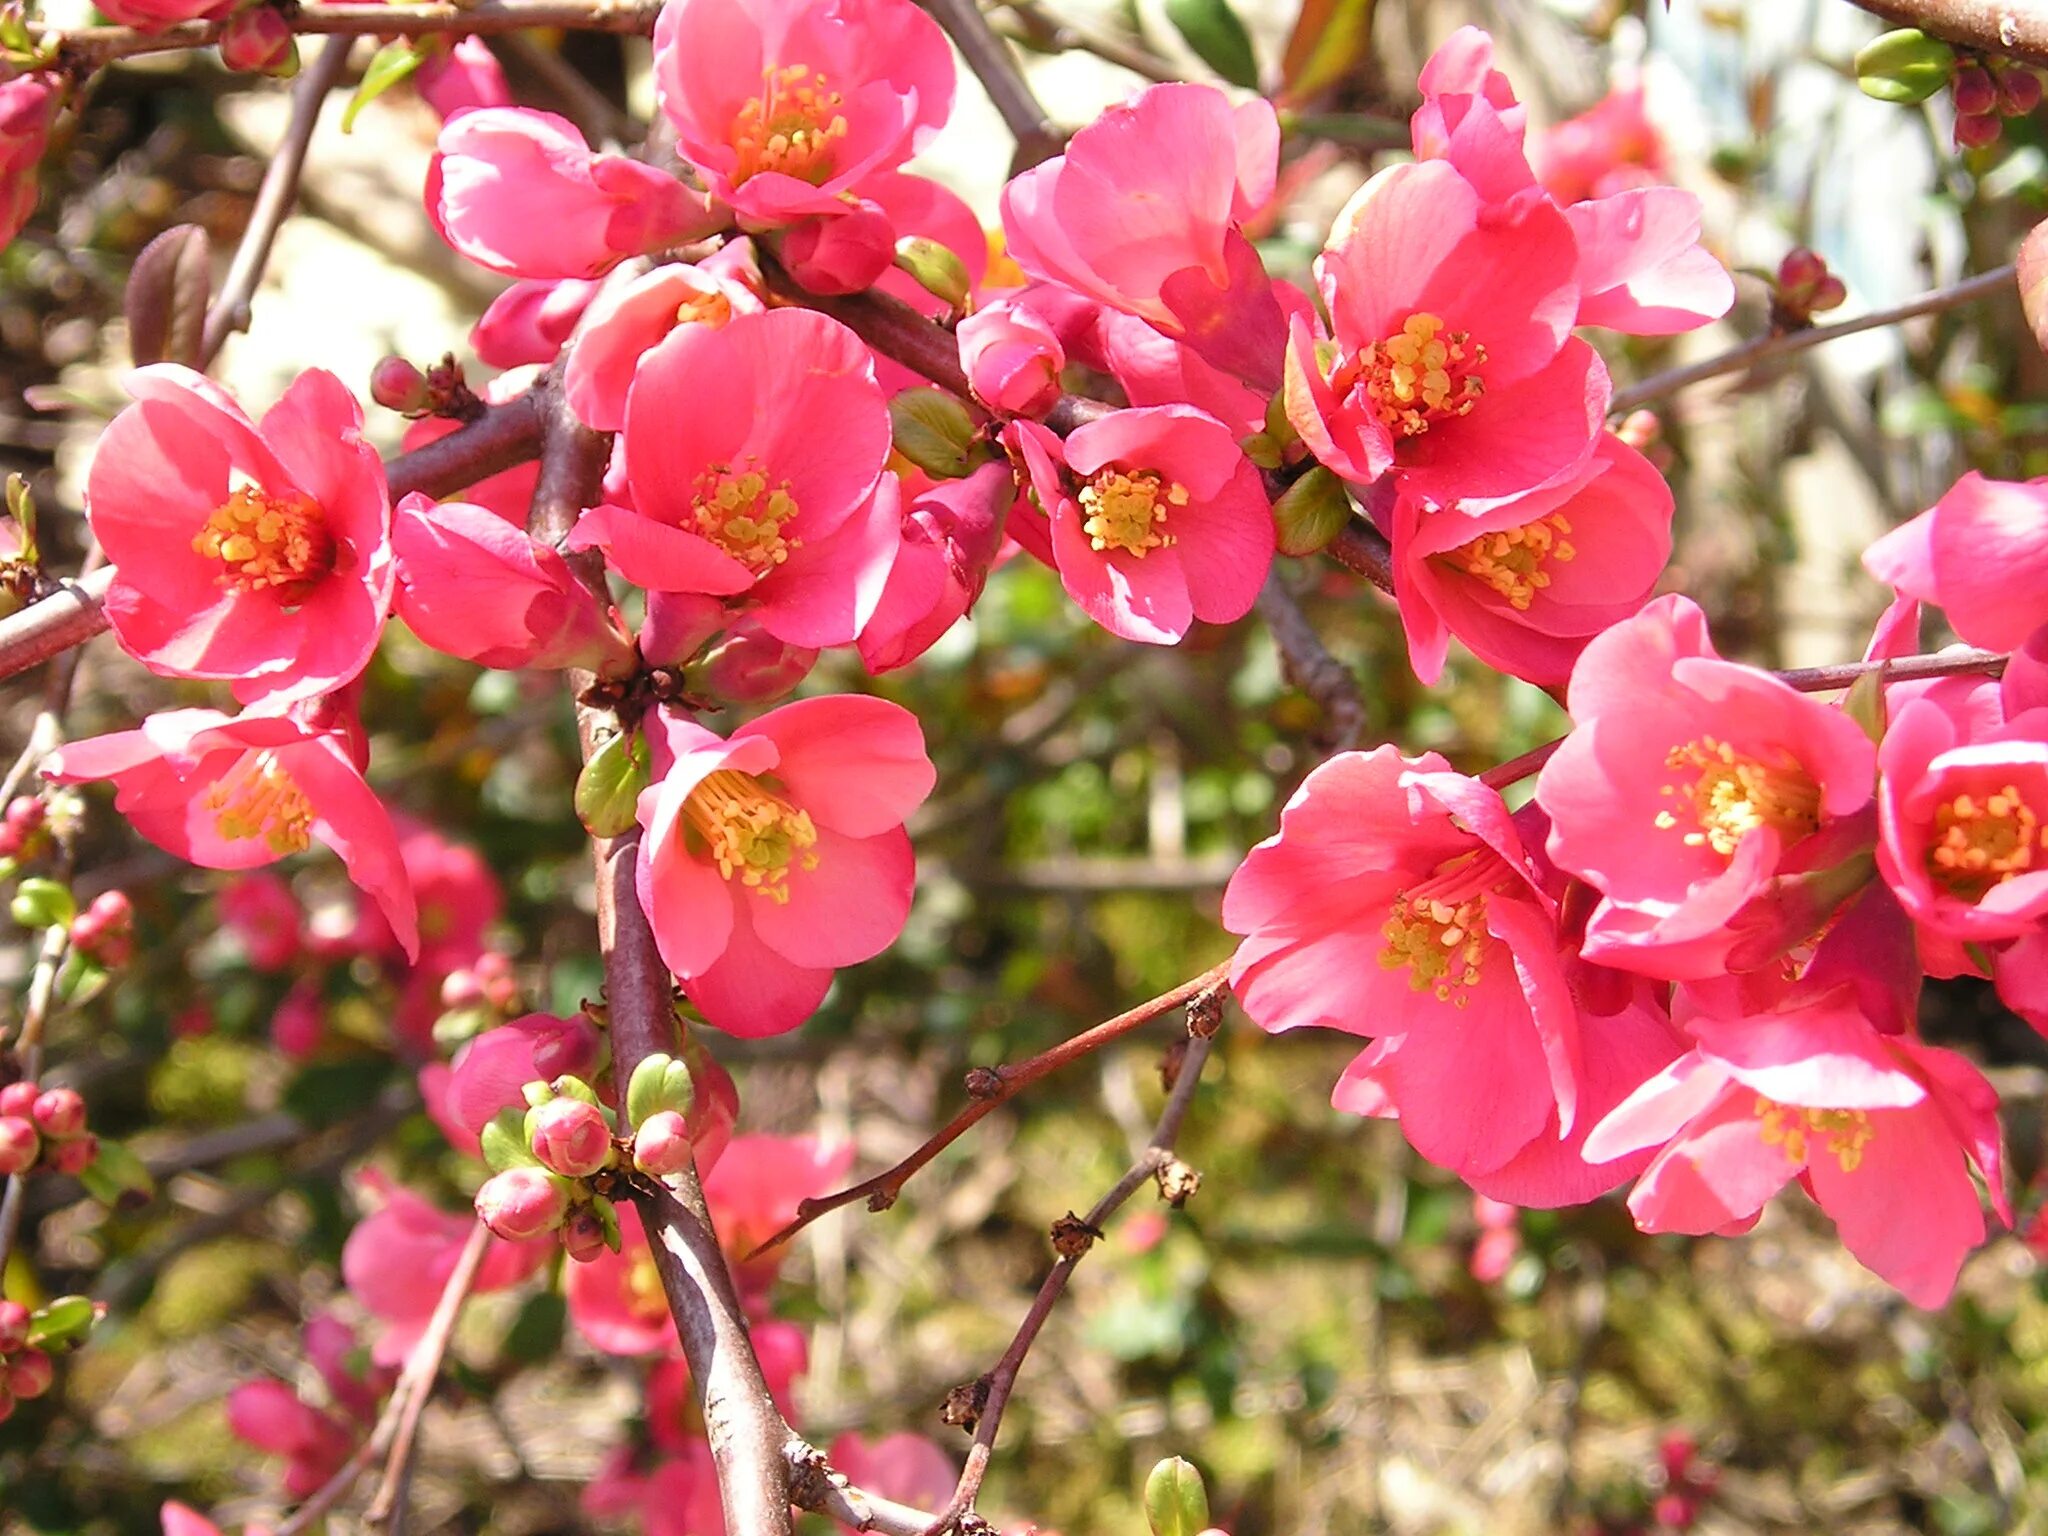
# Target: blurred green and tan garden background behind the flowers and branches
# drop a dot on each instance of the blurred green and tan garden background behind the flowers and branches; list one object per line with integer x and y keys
{"x": 1330, "y": 1330}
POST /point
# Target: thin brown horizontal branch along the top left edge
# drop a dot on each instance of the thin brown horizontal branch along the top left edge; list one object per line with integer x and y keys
{"x": 93, "y": 46}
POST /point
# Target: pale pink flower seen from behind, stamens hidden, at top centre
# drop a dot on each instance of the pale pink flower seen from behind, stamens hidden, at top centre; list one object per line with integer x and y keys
{"x": 1144, "y": 214}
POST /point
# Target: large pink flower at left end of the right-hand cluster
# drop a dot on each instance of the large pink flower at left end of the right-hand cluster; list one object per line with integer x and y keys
{"x": 1398, "y": 902}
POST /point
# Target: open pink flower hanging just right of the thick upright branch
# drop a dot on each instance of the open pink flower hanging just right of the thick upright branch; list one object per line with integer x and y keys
{"x": 779, "y": 855}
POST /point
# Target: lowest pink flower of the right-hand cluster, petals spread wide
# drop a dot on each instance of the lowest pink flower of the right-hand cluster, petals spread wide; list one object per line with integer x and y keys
{"x": 1879, "y": 1129}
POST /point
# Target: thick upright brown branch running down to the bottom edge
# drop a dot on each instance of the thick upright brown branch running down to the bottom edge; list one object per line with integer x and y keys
{"x": 742, "y": 1422}
